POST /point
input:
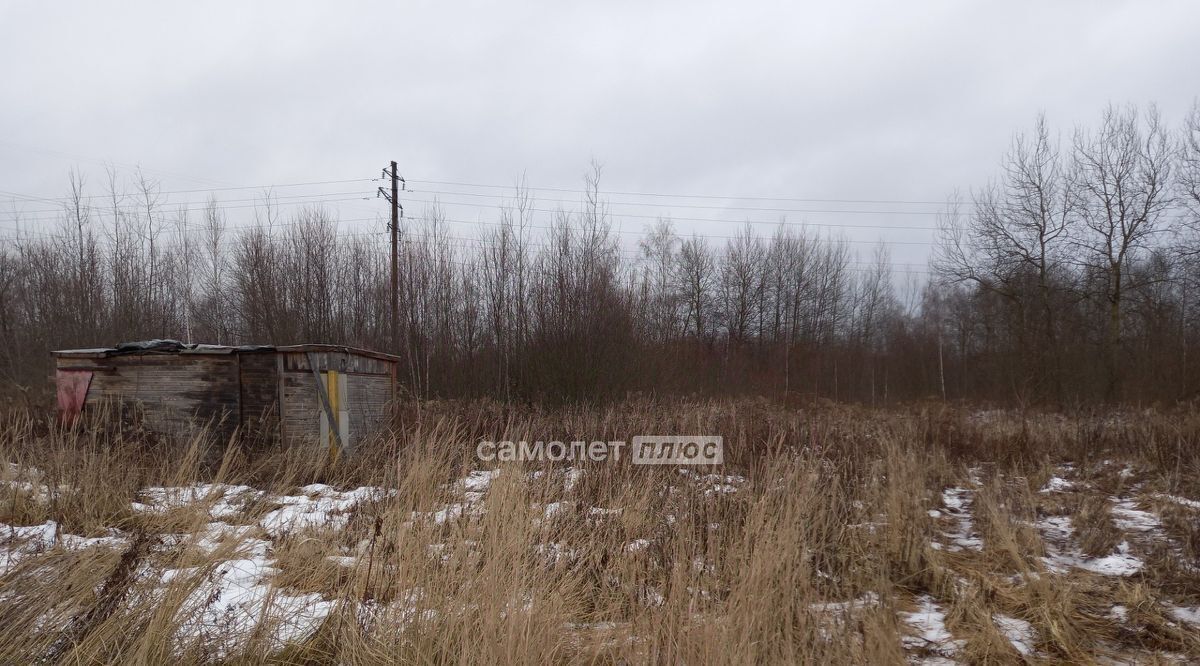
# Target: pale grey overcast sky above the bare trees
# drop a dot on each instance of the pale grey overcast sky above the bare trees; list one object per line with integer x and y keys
{"x": 898, "y": 101}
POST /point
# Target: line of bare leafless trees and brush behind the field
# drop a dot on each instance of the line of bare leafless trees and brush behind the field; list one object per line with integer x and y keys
{"x": 1069, "y": 280}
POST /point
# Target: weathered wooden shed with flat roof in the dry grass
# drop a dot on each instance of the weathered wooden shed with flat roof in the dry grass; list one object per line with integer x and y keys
{"x": 291, "y": 394}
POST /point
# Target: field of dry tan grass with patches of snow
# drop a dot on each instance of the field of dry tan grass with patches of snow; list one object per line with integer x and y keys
{"x": 831, "y": 535}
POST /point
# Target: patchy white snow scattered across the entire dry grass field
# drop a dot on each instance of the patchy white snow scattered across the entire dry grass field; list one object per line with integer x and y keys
{"x": 238, "y": 596}
